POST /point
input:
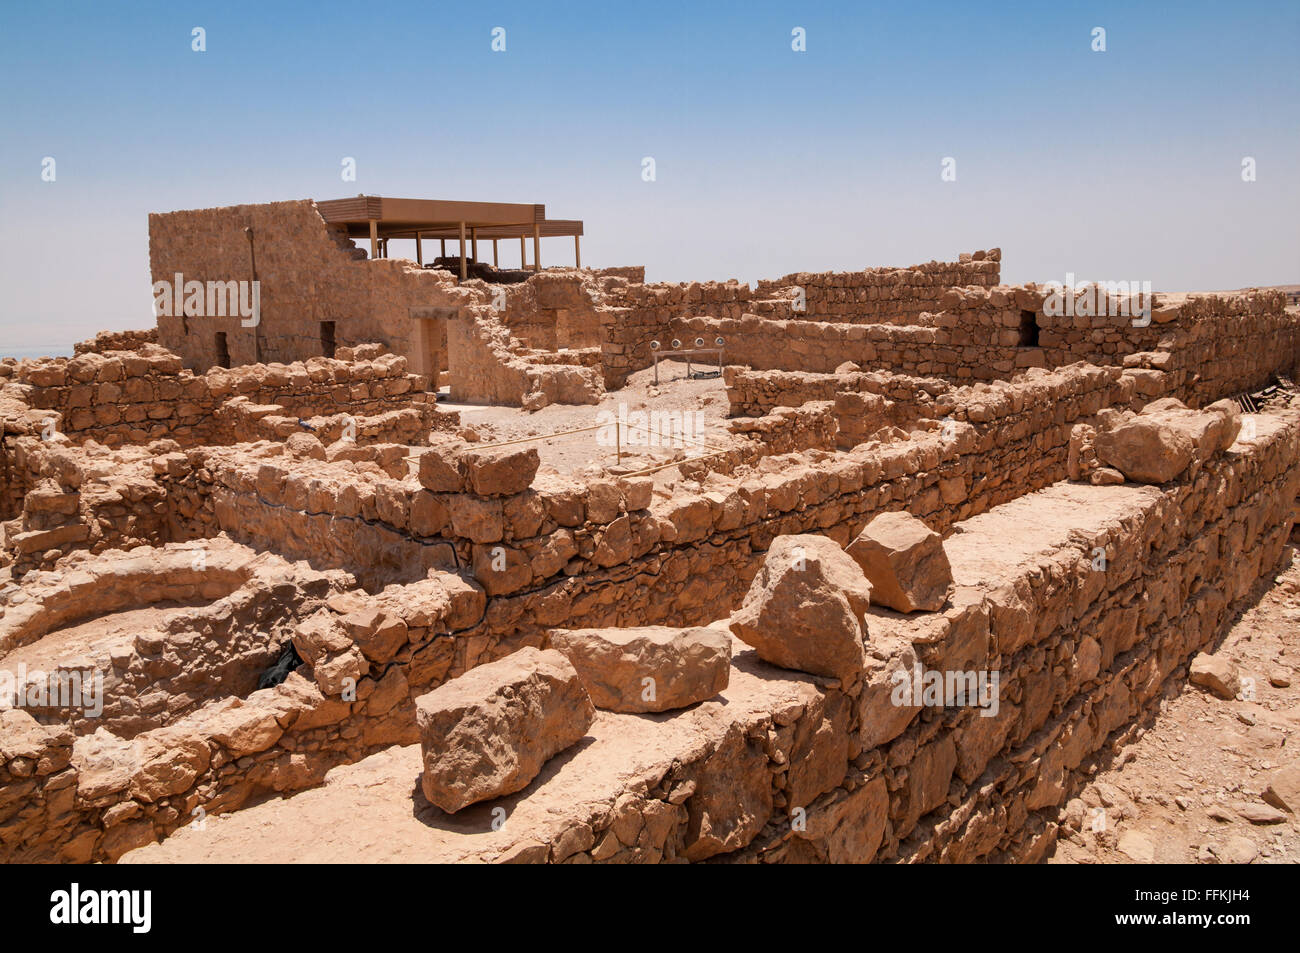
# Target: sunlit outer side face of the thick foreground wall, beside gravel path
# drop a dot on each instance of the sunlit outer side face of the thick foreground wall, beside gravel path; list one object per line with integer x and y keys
{"x": 1084, "y": 657}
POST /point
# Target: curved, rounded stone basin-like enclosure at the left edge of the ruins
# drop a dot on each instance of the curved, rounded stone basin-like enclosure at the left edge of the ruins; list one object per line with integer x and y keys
{"x": 242, "y": 608}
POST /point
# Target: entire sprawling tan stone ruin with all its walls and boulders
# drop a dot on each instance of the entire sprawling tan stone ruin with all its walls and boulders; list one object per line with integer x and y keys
{"x": 924, "y": 480}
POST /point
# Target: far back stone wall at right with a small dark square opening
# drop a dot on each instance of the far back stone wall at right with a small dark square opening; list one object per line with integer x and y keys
{"x": 977, "y": 339}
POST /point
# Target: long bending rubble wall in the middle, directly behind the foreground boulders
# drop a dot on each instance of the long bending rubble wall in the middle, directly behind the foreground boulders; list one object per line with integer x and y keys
{"x": 692, "y": 553}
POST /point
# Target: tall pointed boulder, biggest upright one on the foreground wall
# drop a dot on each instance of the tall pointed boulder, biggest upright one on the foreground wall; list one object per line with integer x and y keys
{"x": 805, "y": 609}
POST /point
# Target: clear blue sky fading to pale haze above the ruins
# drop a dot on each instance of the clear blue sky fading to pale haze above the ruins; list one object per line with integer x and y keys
{"x": 1115, "y": 166}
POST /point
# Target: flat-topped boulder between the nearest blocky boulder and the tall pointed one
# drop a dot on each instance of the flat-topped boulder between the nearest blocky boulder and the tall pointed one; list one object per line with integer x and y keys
{"x": 648, "y": 668}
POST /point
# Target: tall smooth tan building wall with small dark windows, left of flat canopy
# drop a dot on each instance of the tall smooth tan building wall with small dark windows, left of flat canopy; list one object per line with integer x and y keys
{"x": 307, "y": 276}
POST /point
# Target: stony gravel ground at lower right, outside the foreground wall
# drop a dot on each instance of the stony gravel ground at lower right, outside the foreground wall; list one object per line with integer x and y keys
{"x": 1193, "y": 787}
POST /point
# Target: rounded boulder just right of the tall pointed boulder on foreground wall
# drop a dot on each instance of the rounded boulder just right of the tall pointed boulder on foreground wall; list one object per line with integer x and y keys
{"x": 905, "y": 562}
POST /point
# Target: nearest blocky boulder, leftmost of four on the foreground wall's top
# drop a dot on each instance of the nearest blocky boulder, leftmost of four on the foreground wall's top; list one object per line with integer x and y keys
{"x": 491, "y": 731}
